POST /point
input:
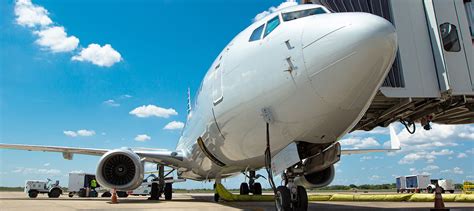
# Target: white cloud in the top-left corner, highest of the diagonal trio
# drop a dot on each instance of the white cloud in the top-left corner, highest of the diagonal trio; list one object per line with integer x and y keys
{"x": 28, "y": 14}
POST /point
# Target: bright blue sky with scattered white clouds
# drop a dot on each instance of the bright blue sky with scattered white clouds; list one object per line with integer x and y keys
{"x": 110, "y": 74}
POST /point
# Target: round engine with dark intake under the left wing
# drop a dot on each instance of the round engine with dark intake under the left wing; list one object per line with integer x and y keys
{"x": 121, "y": 169}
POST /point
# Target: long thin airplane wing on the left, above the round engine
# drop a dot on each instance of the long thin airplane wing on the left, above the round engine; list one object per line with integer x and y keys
{"x": 169, "y": 158}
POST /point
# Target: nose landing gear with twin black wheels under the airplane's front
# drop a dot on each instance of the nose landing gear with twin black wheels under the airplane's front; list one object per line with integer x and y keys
{"x": 291, "y": 196}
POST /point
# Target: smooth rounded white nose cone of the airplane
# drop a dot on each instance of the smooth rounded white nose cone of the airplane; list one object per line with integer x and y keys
{"x": 350, "y": 58}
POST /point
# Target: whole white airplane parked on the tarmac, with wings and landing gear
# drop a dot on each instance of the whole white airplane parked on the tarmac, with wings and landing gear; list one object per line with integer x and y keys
{"x": 280, "y": 95}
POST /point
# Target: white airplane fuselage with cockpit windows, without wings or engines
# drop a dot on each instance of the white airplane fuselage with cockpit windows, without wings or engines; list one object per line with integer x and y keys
{"x": 316, "y": 71}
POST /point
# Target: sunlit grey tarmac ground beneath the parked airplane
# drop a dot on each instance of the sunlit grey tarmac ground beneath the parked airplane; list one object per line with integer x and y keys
{"x": 193, "y": 201}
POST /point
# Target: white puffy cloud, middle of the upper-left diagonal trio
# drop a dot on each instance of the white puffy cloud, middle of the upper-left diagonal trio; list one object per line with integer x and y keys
{"x": 55, "y": 39}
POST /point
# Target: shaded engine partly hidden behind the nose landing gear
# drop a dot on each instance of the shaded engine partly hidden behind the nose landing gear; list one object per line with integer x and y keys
{"x": 317, "y": 179}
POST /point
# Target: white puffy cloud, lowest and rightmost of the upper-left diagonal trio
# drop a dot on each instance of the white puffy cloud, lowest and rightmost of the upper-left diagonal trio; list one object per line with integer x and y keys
{"x": 104, "y": 56}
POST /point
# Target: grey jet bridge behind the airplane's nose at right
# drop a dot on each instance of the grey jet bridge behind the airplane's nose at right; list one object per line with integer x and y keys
{"x": 432, "y": 78}
